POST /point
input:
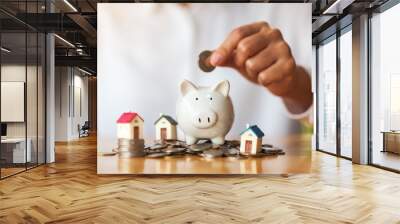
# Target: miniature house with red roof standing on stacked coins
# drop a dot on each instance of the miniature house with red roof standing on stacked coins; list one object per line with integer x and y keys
{"x": 130, "y": 126}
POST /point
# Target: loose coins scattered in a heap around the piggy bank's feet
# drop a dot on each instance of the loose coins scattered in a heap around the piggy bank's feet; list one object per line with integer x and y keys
{"x": 206, "y": 150}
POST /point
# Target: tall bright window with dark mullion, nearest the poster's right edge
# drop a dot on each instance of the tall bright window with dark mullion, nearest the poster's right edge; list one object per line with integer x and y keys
{"x": 334, "y": 106}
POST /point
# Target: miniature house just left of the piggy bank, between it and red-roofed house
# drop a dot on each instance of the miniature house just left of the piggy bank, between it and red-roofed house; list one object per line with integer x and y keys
{"x": 165, "y": 127}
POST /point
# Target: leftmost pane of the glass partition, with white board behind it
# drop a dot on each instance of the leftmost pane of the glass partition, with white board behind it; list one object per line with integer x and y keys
{"x": 14, "y": 154}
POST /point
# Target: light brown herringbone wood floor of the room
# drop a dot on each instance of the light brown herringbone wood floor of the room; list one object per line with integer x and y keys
{"x": 70, "y": 191}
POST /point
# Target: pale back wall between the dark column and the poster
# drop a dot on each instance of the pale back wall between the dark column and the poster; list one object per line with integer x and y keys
{"x": 70, "y": 84}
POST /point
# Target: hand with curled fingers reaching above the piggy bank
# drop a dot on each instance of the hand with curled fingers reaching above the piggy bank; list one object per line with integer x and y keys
{"x": 261, "y": 55}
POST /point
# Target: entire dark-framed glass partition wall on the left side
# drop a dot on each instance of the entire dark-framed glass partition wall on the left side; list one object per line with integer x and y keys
{"x": 22, "y": 63}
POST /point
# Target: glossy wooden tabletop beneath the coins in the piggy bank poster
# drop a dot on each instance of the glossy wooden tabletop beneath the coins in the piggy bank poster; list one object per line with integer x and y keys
{"x": 296, "y": 160}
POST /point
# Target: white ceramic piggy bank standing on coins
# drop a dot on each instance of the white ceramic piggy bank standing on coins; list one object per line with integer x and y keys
{"x": 205, "y": 112}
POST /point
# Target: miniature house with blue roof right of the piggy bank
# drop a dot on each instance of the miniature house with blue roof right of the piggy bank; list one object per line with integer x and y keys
{"x": 251, "y": 140}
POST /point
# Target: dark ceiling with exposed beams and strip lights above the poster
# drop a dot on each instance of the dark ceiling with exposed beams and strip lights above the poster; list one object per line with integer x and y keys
{"x": 75, "y": 22}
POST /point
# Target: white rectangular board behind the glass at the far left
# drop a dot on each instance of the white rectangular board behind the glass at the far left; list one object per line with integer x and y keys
{"x": 12, "y": 101}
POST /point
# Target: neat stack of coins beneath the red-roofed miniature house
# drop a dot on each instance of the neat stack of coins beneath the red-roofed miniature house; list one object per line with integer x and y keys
{"x": 130, "y": 147}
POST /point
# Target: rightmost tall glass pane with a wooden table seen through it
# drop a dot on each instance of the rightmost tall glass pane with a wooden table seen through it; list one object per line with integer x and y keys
{"x": 385, "y": 89}
